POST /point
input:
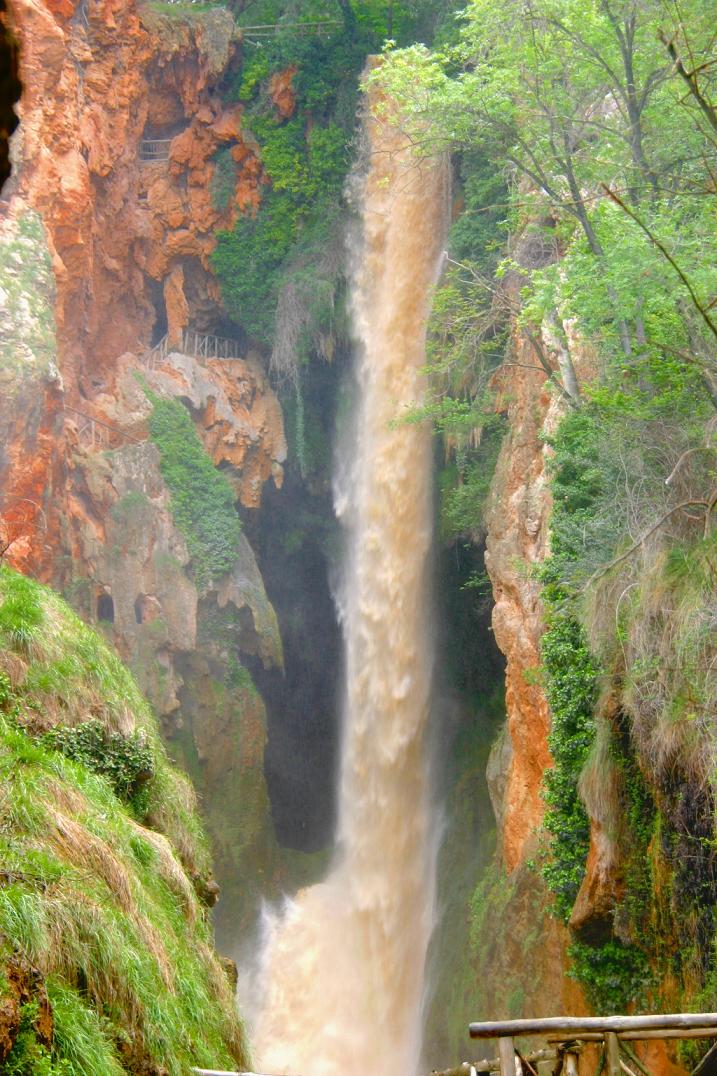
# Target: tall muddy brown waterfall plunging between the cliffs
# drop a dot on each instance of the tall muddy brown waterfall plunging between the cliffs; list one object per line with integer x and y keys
{"x": 344, "y": 966}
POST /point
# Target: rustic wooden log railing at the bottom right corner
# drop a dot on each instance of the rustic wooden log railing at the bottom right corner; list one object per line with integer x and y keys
{"x": 569, "y": 1036}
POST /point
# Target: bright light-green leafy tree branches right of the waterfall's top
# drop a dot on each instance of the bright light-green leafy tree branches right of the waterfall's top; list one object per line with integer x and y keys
{"x": 571, "y": 96}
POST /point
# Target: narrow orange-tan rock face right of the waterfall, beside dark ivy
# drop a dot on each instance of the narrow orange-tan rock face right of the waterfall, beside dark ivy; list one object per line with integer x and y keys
{"x": 528, "y": 939}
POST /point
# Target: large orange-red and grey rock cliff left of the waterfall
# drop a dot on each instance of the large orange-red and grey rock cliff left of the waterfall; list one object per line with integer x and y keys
{"x": 125, "y": 165}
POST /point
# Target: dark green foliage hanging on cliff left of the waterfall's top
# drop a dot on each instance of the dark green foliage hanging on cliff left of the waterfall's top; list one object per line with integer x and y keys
{"x": 282, "y": 270}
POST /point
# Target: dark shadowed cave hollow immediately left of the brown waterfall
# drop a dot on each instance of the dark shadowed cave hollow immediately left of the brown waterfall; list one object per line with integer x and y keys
{"x": 303, "y": 705}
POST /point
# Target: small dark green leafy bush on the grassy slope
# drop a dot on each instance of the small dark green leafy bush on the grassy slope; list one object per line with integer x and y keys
{"x": 126, "y": 761}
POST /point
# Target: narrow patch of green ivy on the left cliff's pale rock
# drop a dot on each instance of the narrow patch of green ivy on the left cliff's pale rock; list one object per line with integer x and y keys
{"x": 203, "y": 502}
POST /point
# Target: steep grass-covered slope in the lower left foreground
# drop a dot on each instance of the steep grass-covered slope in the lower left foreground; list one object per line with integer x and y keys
{"x": 106, "y": 953}
